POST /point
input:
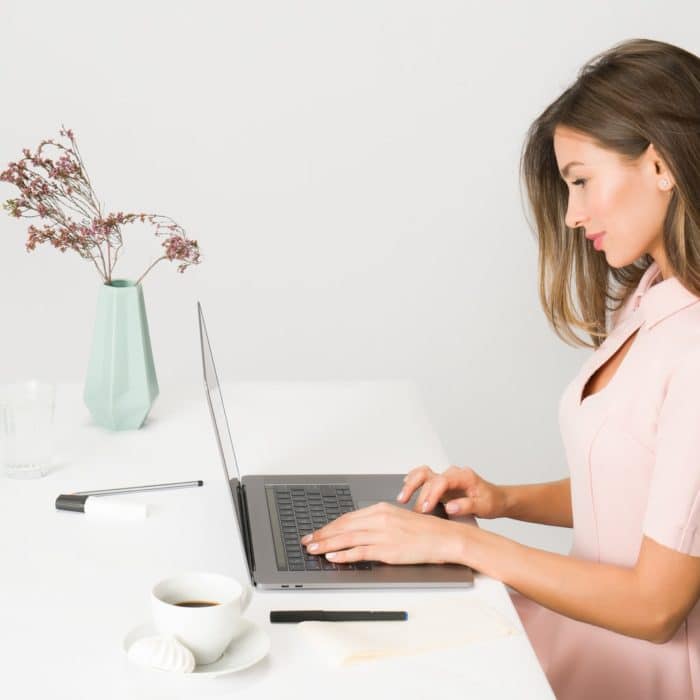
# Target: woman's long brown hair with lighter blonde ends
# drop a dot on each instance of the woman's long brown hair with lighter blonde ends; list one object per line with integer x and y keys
{"x": 638, "y": 92}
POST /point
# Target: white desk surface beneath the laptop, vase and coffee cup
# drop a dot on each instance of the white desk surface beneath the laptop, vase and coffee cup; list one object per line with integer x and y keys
{"x": 72, "y": 587}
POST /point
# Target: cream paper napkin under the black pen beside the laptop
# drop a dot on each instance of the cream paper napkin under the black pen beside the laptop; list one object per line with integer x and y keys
{"x": 433, "y": 625}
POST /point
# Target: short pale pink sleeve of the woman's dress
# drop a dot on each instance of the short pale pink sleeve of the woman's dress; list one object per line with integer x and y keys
{"x": 672, "y": 517}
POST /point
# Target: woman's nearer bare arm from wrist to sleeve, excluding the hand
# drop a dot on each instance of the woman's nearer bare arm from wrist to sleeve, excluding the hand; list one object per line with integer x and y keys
{"x": 648, "y": 601}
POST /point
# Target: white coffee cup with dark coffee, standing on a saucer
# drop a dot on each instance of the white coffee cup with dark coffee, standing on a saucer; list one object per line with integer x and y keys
{"x": 207, "y": 630}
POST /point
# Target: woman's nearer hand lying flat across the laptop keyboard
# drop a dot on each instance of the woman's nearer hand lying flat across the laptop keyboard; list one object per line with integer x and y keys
{"x": 385, "y": 532}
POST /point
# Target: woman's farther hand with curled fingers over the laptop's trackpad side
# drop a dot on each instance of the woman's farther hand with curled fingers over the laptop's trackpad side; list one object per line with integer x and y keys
{"x": 461, "y": 489}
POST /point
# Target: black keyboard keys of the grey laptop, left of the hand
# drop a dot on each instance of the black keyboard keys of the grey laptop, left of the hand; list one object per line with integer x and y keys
{"x": 304, "y": 508}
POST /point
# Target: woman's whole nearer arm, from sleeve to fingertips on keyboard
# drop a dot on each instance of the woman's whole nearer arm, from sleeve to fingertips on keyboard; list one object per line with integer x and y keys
{"x": 648, "y": 600}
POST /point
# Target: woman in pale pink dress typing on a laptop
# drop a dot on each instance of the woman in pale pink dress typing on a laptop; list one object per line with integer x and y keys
{"x": 615, "y": 159}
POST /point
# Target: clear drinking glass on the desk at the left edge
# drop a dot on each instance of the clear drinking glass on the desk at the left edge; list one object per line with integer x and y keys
{"x": 26, "y": 428}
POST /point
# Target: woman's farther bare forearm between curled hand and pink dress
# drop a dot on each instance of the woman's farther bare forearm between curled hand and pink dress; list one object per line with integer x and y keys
{"x": 548, "y": 504}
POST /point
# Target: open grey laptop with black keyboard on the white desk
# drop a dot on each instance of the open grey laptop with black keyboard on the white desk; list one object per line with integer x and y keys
{"x": 274, "y": 511}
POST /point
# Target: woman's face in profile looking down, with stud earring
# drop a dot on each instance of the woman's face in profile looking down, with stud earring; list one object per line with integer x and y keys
{"x": 607, "y": 194}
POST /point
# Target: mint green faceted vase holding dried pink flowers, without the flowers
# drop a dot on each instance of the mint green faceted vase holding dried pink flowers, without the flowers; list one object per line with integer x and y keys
{"x": 121, "y": 383}
